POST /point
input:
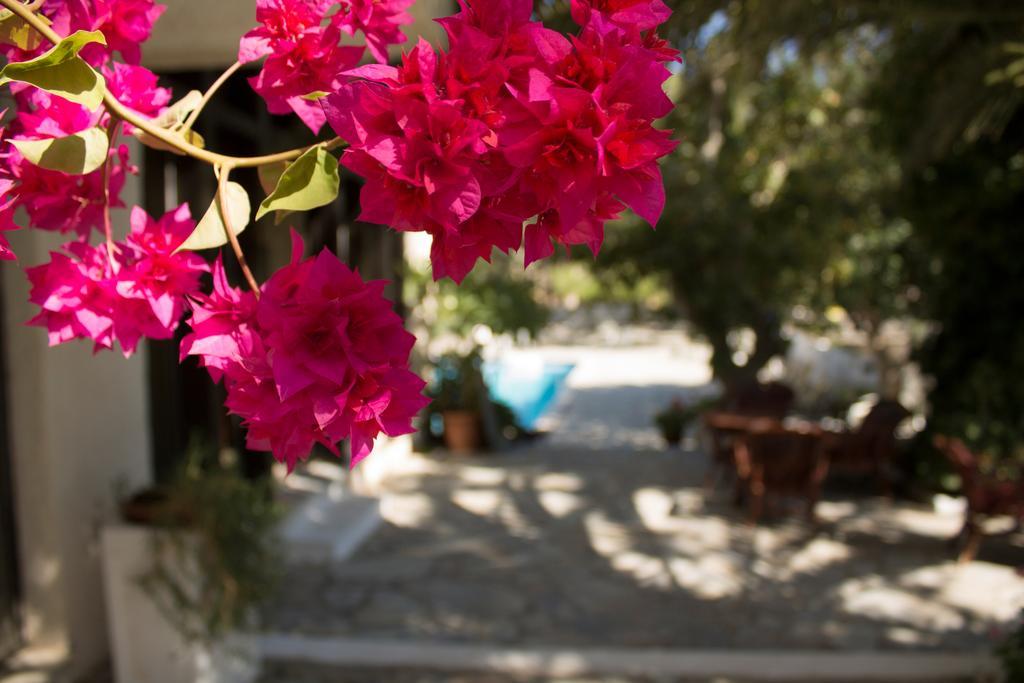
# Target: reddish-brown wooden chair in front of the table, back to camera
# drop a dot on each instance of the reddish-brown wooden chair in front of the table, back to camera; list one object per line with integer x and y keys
{"x": 775, "y": 460}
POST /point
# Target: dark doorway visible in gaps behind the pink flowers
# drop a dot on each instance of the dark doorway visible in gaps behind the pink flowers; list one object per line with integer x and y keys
{"x": 187, "y": 407}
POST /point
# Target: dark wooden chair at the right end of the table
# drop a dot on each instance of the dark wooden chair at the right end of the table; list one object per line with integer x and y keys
{"x": 872, "y": 448}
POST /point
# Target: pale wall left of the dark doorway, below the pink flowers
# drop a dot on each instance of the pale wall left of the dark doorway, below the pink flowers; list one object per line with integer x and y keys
{"x": 79, "y": 431}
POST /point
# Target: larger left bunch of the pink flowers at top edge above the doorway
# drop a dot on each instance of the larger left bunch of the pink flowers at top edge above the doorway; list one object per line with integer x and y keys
{"x": 304, "y": 57}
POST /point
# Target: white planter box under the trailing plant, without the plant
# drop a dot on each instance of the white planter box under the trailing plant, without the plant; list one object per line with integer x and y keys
{"x": 146, "y": 647}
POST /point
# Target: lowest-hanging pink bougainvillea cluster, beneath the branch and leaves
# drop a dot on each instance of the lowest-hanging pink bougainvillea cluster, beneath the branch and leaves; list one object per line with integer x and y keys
{"x": 318, "y": 358}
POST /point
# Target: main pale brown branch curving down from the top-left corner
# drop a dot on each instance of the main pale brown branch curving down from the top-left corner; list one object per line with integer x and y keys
{"x": 168, "y": 138}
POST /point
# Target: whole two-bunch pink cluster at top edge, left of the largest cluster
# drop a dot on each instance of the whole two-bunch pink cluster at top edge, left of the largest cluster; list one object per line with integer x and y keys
{"x": 302, "y": 42}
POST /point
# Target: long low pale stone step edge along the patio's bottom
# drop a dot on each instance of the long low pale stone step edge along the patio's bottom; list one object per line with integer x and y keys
{"x": 570, "y": 664}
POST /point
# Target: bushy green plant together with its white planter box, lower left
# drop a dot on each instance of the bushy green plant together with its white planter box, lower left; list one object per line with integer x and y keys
{"x": 185, "y": 576}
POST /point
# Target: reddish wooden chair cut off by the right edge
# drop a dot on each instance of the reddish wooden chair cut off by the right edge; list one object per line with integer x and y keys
{"x": 986, "y": 496}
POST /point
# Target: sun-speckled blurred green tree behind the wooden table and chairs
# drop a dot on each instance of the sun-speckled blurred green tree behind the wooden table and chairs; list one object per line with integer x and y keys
{"x": 776, "y": 196}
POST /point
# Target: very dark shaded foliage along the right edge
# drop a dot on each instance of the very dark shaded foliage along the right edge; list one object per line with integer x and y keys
{"x": 955, "y": 113}
